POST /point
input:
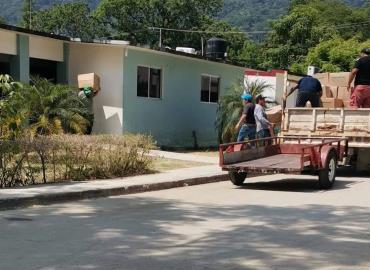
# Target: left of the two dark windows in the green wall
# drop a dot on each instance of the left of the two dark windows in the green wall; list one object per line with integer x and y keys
{"x": 148, "y": 82}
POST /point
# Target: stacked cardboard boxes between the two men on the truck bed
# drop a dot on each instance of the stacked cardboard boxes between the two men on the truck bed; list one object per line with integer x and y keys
{"x": 335, "y": 93}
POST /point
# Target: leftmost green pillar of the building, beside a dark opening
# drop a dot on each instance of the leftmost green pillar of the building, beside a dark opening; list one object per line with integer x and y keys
{"x": 20, "y": 65}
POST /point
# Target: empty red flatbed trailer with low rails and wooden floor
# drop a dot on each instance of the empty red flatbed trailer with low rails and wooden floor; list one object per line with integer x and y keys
{"x": 289, "y": 155}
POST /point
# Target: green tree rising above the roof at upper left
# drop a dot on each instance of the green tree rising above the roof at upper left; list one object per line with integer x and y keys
{"x": 71, "y": 19}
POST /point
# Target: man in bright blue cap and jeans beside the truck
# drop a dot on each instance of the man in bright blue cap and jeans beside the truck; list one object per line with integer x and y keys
{"x": 247, "y": 122}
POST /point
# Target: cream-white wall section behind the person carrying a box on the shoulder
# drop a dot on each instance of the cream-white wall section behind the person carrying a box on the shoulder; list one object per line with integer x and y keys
{"x": 107, "y": 62}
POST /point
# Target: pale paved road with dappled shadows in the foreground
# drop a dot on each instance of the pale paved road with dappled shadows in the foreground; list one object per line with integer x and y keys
{"x": 284, "y": 224}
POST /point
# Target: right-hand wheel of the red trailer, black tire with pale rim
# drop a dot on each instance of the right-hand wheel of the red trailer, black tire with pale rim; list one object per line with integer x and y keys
{"x": 328, "y": 174}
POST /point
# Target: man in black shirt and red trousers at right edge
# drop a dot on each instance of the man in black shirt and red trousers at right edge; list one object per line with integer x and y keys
{"x": 360, "y": 97}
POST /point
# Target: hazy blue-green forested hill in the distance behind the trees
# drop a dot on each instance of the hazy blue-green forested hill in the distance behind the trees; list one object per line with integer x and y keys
{"x": 248, "y": 14}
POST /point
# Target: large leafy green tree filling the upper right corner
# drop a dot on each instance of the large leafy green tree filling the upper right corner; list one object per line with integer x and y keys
{"x": 308, "y": 23}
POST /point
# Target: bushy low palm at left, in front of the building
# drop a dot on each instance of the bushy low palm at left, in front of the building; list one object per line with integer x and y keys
{"x": 43, "y": 108}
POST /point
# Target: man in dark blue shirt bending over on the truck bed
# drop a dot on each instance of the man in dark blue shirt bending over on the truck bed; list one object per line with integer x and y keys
{"x": 310, "y": 89}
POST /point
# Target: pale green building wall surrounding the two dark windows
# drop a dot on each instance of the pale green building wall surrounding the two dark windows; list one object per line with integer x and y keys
{"x": 173, "y": 118}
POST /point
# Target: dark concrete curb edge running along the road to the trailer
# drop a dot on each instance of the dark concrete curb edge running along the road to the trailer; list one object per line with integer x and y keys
{"x": 14, "y": 203}
